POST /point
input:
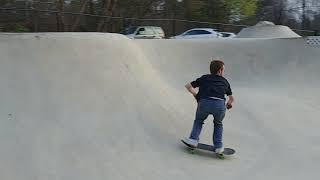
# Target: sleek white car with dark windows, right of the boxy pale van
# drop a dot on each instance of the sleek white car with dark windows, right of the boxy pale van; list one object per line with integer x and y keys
{"x": 198, "y": 33}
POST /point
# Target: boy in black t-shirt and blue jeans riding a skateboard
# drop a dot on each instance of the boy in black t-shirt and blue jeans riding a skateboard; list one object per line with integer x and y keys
{"x": 211, "y": 100}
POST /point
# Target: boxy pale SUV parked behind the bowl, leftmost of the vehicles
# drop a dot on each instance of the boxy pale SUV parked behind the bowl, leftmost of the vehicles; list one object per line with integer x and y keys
{"x": 143, "y": 32}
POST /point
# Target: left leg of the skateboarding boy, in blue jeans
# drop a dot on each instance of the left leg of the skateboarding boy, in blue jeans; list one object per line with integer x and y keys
{"x": 201, "y": 115}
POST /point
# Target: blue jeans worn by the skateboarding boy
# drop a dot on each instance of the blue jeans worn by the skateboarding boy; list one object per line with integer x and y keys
{"x": 206, "y": 107}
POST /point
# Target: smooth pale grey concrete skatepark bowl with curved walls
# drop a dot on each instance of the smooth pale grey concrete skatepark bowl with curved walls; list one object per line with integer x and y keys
{"x": 101, "y": 106}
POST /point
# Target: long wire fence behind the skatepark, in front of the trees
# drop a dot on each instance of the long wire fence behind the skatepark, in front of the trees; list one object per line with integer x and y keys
{"x": 48, "y": 21}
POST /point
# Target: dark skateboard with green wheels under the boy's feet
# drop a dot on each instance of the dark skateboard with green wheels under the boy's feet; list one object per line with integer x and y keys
{"x": 206, "y": 147}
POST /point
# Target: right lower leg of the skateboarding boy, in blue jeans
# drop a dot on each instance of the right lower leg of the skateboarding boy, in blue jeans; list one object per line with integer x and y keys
{"x": 218, "y": 129}
